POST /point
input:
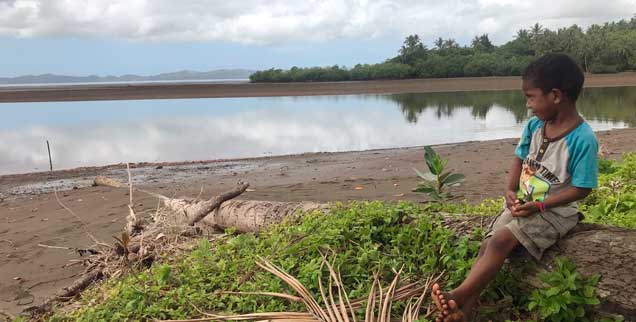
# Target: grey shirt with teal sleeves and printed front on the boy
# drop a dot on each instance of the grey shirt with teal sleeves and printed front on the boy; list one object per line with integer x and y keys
{"x": 552, "y": 164}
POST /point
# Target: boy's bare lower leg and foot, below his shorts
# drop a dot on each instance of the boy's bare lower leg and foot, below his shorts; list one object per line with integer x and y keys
{"x": 483, "y": 271}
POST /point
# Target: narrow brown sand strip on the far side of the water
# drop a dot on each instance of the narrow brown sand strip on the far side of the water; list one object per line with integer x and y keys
{"x": 89, "y": 92}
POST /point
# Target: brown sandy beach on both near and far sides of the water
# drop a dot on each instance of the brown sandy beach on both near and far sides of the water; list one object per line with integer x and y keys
{"x": 31, "y": 215}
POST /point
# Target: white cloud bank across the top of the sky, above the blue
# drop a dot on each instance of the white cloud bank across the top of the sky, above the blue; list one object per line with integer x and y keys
{"x": 284, "y": 21}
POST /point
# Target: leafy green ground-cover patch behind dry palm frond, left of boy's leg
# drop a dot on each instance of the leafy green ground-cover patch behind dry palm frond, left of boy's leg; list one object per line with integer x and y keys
{"x": 367, "y": 238}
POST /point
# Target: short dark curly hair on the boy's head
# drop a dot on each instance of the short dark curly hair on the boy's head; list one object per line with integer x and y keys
{"x": 555, "y": 71}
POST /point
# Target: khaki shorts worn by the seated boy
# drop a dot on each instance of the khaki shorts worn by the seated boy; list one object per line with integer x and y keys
{"x": 536, "y": 232}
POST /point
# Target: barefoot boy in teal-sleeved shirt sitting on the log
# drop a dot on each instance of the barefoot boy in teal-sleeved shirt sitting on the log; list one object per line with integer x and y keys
{"x": 556, "y": 164}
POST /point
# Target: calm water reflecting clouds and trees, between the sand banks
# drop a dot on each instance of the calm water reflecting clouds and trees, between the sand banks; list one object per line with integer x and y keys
{"x": 100, "y": 133}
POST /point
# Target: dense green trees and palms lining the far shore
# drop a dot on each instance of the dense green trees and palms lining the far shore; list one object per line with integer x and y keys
{"x": 607, "y": 48}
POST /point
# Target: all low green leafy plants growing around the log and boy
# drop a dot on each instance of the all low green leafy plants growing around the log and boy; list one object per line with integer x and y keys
{"x": 366, "y": 237}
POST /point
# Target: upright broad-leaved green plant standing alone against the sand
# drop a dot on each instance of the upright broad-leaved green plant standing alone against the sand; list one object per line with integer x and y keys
{"x": 436, "y": 181}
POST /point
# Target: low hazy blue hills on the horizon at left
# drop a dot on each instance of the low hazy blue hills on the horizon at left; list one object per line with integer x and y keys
{"x": 175, "y": 76}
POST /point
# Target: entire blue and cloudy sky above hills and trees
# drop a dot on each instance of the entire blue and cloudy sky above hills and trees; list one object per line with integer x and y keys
{"x": 145, "y": 37}
